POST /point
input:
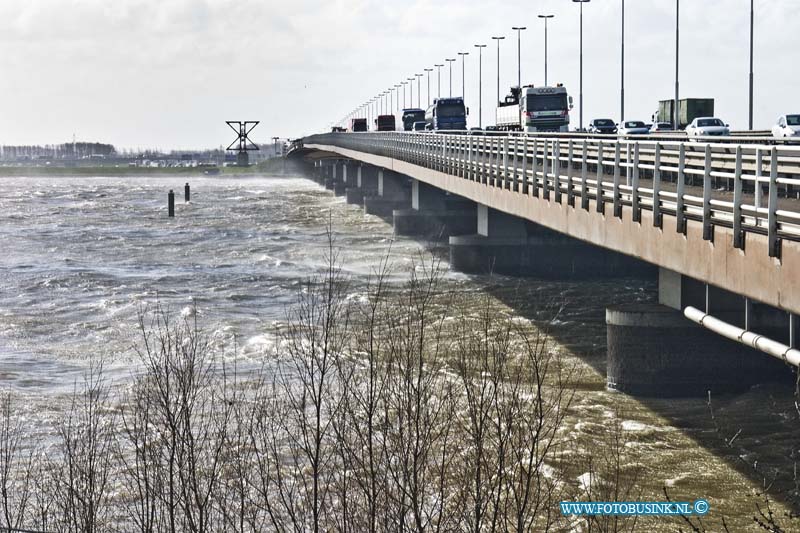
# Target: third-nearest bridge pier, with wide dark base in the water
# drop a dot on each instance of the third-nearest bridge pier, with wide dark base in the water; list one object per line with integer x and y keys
{"x": 435, "y": 214}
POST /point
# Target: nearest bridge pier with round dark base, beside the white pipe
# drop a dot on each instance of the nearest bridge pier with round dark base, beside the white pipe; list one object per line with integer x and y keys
{"x": 653, "y": 350}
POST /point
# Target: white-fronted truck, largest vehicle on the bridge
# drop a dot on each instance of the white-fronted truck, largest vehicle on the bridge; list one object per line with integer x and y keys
{"x": 534, "y": 109}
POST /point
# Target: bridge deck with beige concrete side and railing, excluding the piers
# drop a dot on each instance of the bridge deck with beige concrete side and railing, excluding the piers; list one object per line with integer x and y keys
{"x": 645, "y": 208}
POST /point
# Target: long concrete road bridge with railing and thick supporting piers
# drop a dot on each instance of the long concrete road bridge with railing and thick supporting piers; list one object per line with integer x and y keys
{"x": 717, "y": 221}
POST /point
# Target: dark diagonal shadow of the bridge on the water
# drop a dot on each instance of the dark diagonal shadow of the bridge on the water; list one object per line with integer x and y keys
{"x": 757, "y": 432}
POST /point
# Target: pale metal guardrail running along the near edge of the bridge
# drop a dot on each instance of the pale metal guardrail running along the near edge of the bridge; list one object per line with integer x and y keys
{"x": 630, "y": 172}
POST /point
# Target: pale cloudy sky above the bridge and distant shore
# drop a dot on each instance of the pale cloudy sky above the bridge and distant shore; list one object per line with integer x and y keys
{"x": 169, "y": 73}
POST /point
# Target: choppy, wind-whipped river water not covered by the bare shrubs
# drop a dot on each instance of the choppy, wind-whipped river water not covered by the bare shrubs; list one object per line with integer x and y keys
{"x": 80, "y": 256}
